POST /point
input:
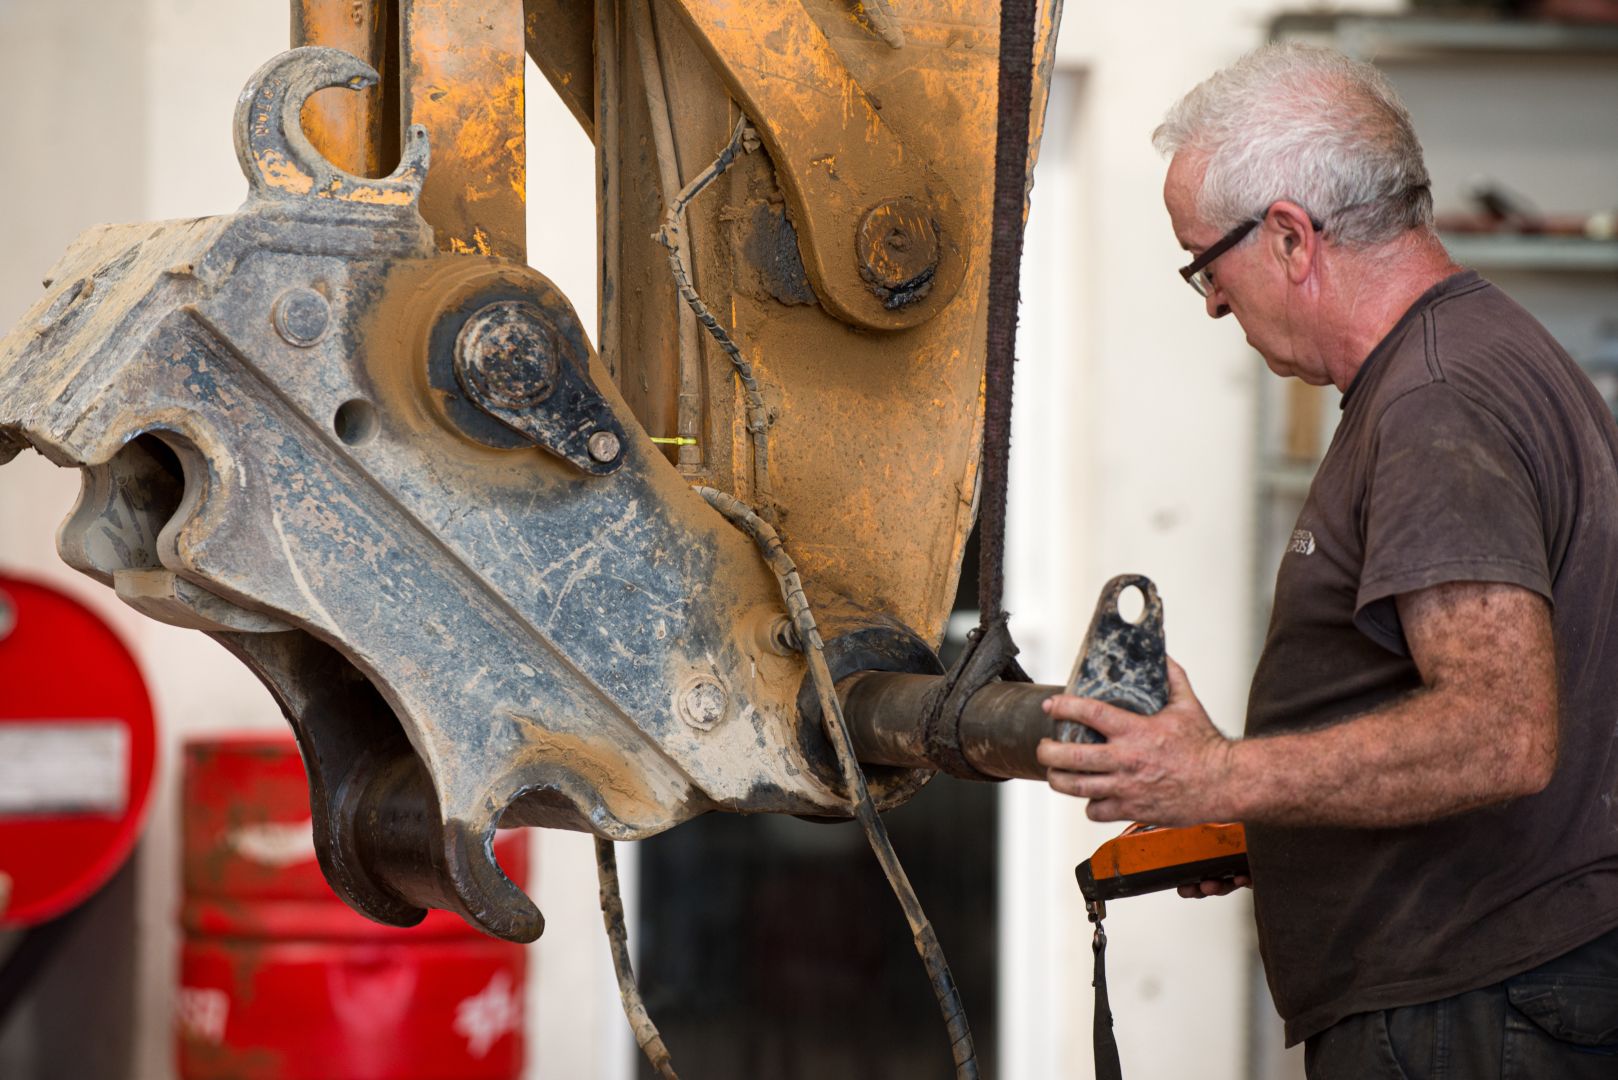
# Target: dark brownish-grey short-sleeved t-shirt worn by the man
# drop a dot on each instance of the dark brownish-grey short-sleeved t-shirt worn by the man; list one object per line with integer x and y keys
{"x": 1472, "y": 449}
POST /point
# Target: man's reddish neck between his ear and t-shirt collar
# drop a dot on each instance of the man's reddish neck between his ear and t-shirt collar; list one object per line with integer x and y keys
{"x": 1370, "y": 294}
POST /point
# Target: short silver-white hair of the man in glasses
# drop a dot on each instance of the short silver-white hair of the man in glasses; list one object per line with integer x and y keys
{"x": 1307, "y": 125}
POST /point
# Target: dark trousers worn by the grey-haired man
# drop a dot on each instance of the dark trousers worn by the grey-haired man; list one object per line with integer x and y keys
{"x": 1556, "y": 1023}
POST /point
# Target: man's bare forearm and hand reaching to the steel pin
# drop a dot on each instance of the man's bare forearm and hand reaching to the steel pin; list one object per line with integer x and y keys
{"x": 1481, "y": 731}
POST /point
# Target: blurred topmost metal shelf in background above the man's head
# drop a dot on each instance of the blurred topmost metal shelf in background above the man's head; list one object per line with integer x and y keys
{"x": 1384, "y": 36}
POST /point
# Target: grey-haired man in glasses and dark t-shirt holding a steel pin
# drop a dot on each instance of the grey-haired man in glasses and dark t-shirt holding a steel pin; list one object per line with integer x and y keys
{"x": 1430, "y": 767}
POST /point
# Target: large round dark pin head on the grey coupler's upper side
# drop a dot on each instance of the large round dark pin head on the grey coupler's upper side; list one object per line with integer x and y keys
{"x": 507, "y": 355}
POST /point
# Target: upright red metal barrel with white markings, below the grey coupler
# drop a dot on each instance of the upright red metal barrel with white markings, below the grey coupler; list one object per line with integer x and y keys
{"x": 281, "y": 980}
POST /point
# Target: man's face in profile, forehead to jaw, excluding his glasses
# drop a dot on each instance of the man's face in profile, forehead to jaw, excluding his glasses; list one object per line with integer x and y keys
{"x": 1247, "y": 283}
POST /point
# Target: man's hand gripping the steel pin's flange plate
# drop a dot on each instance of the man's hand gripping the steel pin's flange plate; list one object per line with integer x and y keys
{"x": 1166, "y": 770}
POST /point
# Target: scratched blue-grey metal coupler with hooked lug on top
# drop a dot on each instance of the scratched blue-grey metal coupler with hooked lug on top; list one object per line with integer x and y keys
{"x": 530, "y": 629}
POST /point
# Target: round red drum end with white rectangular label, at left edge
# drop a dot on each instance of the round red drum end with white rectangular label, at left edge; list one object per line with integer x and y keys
{"x": 77, "y": 752}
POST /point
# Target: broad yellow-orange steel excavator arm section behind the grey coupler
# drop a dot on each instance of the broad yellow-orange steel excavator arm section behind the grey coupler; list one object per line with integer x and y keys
{"x": 875, "y": 435}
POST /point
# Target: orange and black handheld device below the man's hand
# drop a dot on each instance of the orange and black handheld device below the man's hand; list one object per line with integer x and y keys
{"x": 1148, "y": 859}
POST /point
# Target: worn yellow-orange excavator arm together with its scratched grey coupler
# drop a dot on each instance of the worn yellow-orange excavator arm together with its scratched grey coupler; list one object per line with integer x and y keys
{"x": 491, "y": 569}
